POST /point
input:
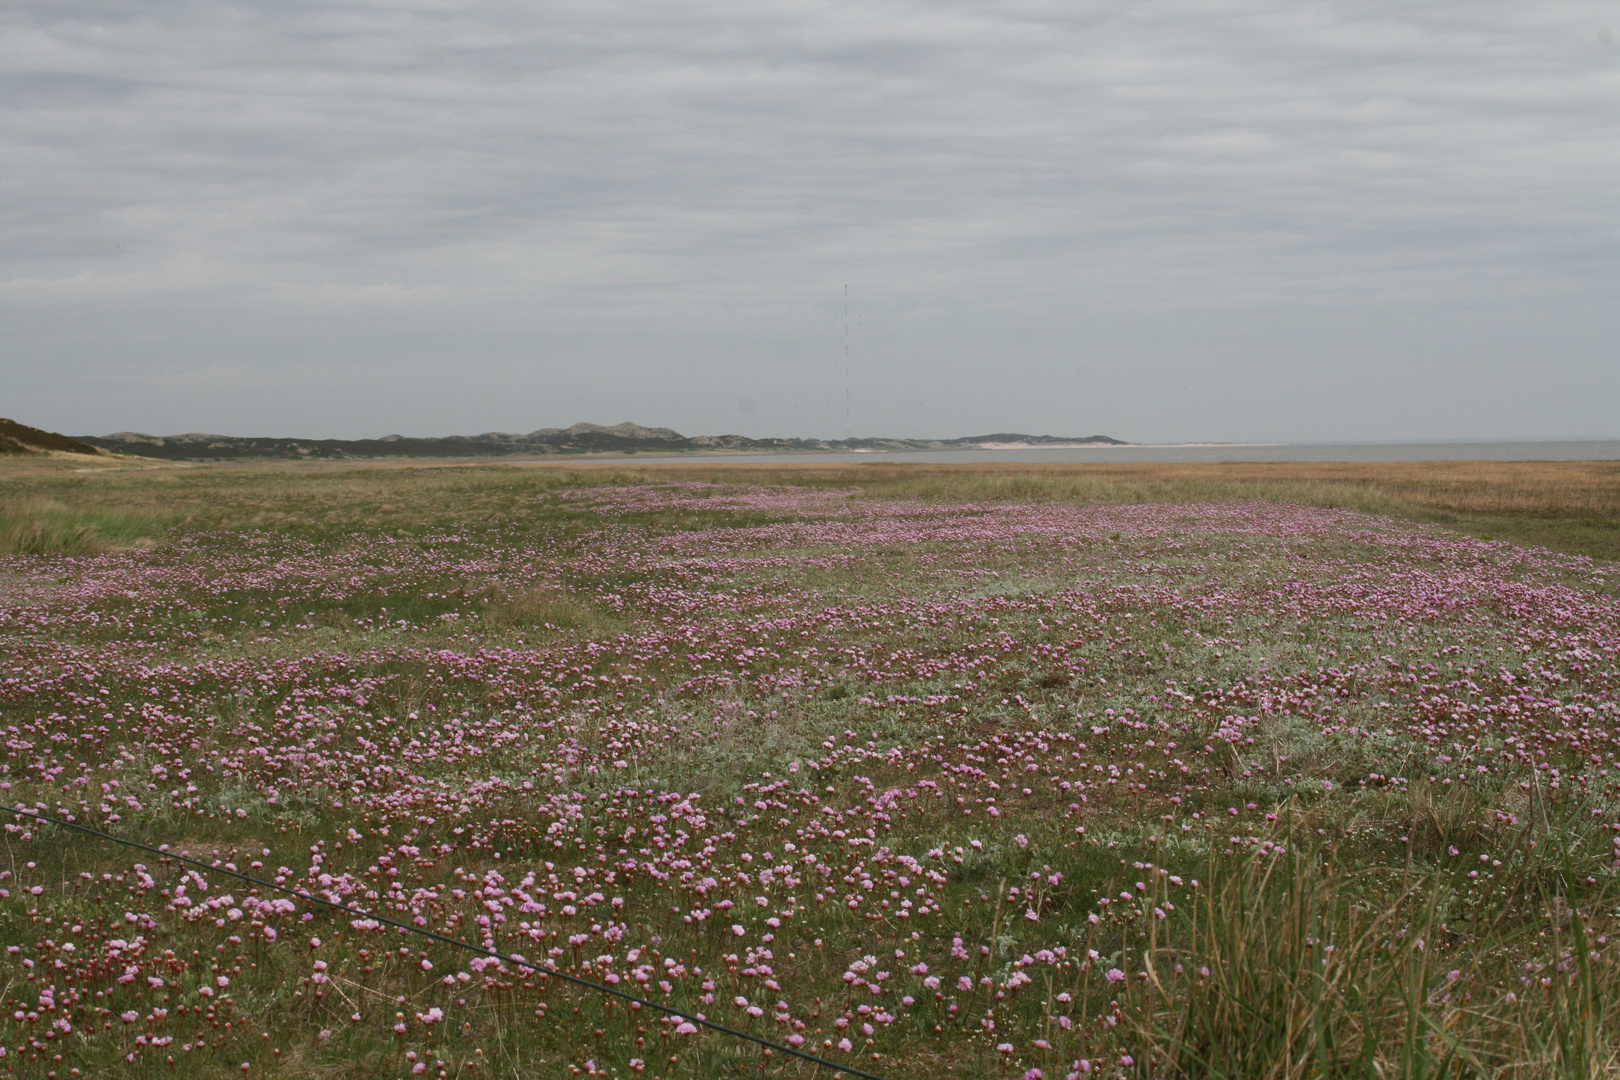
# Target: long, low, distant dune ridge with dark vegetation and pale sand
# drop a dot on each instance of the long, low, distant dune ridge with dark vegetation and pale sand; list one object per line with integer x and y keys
{"x": 579, "y": 440}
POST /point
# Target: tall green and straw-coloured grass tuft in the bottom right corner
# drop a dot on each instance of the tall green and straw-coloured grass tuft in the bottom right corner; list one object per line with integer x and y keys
{"x": 1289, "y": 966}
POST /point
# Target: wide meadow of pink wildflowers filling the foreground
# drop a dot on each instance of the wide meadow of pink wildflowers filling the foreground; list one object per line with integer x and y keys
{"x": 978, "y": 789}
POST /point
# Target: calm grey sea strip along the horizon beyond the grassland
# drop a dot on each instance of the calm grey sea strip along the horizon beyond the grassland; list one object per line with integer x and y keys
{"x": 1603, "y": 449}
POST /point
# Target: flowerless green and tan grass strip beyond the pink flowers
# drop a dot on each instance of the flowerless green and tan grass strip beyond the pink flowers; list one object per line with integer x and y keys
{"x": 1571, "y": 508}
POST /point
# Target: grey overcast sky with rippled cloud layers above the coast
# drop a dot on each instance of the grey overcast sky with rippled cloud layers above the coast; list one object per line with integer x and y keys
{"x": 1175, "y": 221}
